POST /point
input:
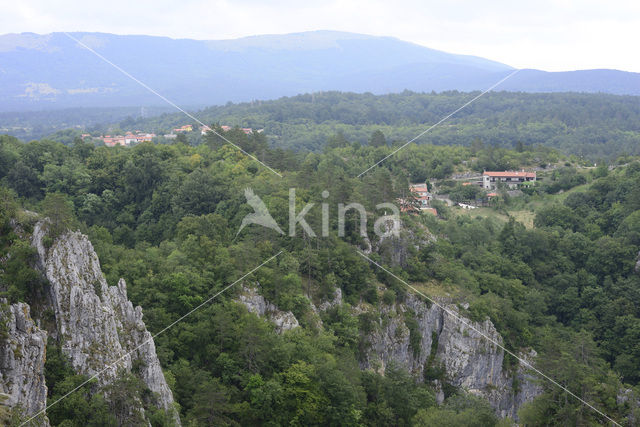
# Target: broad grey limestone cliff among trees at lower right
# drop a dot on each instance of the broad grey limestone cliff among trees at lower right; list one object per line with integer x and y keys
{"x": 469, "y": 360}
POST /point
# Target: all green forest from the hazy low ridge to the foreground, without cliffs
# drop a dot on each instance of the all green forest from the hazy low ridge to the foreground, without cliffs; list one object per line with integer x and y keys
{"x": 166, "y": 218}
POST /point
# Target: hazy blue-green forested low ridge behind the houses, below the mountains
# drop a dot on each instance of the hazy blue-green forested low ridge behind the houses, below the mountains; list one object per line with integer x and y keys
{"x": 592, "y": 126}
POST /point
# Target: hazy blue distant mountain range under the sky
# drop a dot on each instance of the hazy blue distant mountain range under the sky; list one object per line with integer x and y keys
{"x": 53, "y": 71}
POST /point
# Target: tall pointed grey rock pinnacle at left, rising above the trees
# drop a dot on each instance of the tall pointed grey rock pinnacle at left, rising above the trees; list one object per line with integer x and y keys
{"x": 96, "y": 324}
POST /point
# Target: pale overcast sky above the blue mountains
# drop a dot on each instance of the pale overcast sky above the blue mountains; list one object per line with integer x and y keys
{"x": 551, "y": 35}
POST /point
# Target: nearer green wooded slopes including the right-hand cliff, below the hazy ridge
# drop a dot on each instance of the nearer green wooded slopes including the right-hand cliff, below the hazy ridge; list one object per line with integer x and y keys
{"x": 165, "y": 217}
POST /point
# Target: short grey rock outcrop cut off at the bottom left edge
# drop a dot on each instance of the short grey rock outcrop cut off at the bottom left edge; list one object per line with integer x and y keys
{"x": 22, "y": 356}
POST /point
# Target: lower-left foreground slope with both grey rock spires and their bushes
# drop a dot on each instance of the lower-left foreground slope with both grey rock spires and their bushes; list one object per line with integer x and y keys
{"x": 75, "y": 332}
